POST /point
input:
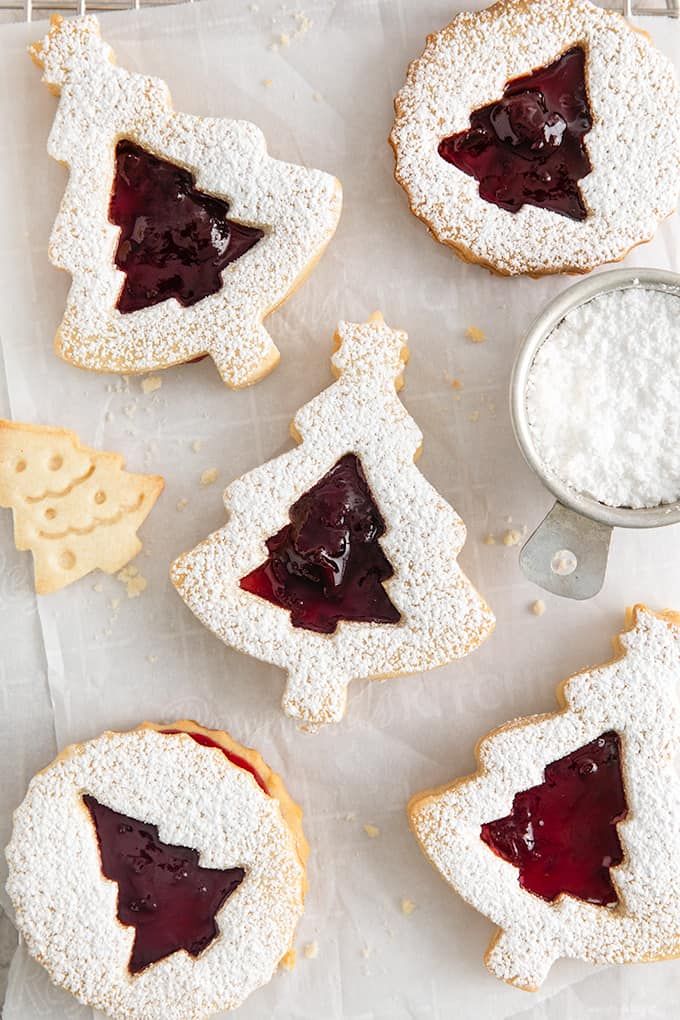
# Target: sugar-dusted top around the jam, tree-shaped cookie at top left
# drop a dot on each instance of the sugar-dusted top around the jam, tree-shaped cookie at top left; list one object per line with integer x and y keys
{"x": 298, "y": 210}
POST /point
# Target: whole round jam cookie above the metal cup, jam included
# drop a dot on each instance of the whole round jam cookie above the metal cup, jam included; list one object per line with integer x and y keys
{"x": 540, "y": 136}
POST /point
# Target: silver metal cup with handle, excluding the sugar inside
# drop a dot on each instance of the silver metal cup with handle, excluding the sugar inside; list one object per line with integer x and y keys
{"x": 567, "y": 554}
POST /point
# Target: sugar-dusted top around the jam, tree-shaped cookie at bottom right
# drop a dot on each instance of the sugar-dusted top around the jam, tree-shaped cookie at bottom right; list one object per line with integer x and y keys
{"x": 637, "y": 696}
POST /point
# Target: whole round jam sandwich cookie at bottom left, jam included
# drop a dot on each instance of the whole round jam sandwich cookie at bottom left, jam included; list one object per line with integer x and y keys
{"x": 159, "y": 875}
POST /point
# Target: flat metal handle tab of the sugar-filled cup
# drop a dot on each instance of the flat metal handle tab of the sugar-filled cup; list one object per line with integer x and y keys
{"x": 567, "y": 554}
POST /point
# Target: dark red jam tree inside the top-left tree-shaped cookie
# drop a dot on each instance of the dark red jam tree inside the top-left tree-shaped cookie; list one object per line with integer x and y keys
{"x": 175, "y": 241}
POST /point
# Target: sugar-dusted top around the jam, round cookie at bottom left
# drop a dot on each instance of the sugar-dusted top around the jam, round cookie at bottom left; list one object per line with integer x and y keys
{"x": 67, "y": 910}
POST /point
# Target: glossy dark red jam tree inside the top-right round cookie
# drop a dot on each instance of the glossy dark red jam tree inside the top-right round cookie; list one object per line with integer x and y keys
{"x": 528, "y": 148}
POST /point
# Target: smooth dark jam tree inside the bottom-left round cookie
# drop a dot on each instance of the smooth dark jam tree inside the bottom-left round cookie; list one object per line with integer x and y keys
{"x": 164, "y": 893}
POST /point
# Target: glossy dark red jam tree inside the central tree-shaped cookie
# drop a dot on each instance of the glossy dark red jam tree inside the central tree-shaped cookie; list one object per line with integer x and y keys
{"x": 328, "y": 565}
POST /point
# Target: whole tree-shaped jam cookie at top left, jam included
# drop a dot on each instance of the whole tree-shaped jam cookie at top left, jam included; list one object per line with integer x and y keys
{"x": 181, "y": 233}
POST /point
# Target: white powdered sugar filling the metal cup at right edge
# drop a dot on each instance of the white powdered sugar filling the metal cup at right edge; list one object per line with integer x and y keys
{"x": 603, "y": 398}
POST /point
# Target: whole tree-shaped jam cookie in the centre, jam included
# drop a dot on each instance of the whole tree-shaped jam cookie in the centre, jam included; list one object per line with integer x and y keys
{"x": 339, "y": 559}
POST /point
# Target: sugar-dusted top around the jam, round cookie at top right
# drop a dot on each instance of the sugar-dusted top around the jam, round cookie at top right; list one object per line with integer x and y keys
{"x": 634, "y": 146}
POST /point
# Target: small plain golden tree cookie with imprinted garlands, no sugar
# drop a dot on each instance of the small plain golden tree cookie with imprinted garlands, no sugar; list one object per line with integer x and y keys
{"x": 75, "y": 508}
